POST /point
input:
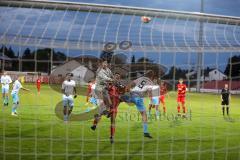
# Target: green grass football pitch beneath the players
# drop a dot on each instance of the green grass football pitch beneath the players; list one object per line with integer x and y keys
{"x": 38, "y": 134}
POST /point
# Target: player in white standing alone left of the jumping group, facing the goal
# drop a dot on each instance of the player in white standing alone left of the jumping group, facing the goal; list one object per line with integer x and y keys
{"x": 69, "y": 92}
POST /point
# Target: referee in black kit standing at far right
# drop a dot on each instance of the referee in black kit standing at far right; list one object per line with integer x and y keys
{"x": 225, "y": 97}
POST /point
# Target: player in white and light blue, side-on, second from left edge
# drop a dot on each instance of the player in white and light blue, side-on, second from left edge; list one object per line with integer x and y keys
{"x": 16, "y": 87}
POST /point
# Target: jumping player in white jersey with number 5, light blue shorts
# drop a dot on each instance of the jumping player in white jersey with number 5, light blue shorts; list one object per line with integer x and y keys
{"x": 141, "y": 87}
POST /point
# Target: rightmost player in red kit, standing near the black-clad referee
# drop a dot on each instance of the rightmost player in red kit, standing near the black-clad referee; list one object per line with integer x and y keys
{"x": 182, "y": 89}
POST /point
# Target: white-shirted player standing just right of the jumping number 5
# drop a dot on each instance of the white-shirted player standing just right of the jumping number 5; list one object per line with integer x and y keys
{"x": 154, "y": 95}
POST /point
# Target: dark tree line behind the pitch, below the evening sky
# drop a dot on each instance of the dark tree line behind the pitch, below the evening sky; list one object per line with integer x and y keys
{"x": 46, "y": 54}
